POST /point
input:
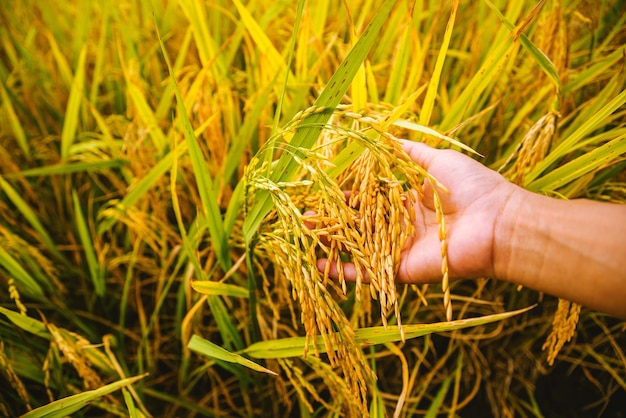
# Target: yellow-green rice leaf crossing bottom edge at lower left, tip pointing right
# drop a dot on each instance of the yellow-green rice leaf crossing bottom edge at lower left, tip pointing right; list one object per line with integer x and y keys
{"x": 67, "y": 406}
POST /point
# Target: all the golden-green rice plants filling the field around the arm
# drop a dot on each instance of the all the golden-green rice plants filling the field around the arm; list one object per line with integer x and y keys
{"x": 158, "y": 162}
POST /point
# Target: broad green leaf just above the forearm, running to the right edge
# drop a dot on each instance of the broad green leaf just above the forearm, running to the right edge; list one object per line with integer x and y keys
{"x": 586, "y": 163}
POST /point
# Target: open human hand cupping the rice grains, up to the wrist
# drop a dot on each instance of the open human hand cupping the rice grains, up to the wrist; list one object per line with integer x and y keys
{"x": 476, "y": 199}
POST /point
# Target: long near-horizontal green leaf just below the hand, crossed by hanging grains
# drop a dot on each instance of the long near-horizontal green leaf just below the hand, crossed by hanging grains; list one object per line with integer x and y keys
{"x": 294, "y": 346}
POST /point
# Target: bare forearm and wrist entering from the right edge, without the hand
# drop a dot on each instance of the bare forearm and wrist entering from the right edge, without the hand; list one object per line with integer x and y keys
{"x": 571, "y": 249}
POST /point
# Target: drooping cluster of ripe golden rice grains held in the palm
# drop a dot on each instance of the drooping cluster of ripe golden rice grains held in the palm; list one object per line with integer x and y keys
{"x": 362, "y": 214}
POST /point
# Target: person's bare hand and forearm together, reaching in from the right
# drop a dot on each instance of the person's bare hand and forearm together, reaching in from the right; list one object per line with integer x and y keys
{"x": 573, "y": 249}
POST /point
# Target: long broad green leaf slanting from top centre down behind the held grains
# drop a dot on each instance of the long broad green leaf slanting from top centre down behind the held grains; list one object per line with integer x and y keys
{"x": 328, "y": 99}
